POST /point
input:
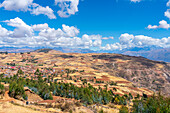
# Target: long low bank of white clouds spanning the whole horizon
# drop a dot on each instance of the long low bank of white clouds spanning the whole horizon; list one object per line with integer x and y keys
{"x": 67, "y": 36}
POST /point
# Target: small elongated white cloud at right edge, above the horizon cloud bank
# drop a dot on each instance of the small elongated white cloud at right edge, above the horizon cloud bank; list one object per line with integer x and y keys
{"x": 162, "y": 24}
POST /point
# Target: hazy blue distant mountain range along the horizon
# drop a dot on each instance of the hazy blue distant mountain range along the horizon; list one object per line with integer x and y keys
{"x": 153, "y": 53}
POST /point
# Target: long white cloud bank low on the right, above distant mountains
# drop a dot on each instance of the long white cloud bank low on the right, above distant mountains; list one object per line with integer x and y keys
{"x": 130, "y": 41}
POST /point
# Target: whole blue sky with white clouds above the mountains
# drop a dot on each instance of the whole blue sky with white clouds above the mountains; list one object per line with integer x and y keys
{"x": 86, "y": 24}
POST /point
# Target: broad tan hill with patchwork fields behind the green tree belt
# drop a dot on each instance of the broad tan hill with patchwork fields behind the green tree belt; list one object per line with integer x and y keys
{"x": 138, "y": 71}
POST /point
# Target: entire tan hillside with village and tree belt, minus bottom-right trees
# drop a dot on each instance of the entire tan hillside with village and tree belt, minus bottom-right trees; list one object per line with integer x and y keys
{"x": 55, "y": 81}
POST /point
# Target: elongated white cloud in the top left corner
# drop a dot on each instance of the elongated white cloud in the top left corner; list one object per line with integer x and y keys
{"x": 27, "y": 5}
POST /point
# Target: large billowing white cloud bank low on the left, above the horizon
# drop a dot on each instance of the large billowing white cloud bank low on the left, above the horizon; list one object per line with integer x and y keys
{"x": 66, "y": 36}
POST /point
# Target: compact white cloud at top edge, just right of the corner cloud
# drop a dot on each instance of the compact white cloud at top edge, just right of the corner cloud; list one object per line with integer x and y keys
{"x": 68, "y": 7}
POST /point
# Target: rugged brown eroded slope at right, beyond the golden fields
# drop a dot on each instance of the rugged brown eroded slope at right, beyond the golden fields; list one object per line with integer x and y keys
{"x": 142, "y": 72}
